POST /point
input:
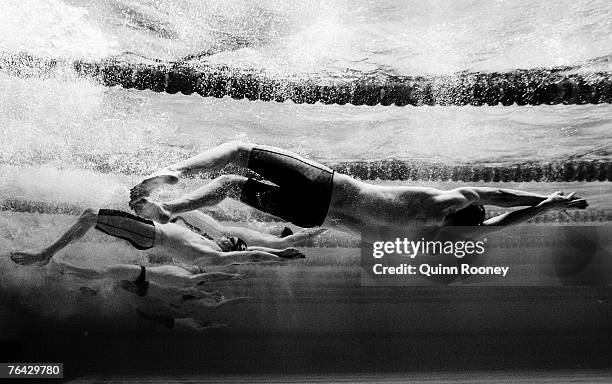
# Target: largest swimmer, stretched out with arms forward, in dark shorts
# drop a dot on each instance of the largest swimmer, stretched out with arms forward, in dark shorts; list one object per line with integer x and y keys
{"x": 309, "y": 194}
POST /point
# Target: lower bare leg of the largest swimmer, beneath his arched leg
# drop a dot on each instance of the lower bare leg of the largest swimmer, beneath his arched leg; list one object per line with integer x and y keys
{"x": 208, "y": 195}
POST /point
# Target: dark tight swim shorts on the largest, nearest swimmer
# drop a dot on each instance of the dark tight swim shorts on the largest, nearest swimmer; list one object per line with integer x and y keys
{"x": 301, "y": 192}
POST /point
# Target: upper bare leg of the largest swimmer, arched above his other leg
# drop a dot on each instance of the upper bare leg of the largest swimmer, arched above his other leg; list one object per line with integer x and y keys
{"x": 211, "y": 160}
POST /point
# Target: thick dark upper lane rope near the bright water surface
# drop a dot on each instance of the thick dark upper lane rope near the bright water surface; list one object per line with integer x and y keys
{"x": 559, "y": 85}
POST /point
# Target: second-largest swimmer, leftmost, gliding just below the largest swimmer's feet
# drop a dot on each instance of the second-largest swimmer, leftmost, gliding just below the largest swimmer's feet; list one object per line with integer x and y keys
{"x": 143, "y": 234}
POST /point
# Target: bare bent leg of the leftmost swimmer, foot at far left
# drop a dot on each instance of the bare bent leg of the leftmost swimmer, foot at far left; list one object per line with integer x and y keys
{"x": 84, "y": 223}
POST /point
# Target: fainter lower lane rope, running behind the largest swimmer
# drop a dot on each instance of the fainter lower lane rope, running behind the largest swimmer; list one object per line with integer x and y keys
{"x": 142, "y": 163}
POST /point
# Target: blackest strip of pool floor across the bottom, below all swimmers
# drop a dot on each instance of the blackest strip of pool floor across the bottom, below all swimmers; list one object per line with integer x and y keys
{"x": 175, "y": 356}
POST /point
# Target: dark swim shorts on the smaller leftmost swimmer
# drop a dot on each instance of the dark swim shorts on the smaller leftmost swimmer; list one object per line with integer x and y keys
{"x": 138, "y": 231}
